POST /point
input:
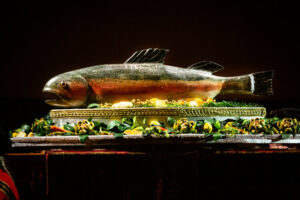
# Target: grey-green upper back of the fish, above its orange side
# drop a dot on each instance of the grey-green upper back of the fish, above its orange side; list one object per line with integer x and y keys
{"x": 155, "y": 72}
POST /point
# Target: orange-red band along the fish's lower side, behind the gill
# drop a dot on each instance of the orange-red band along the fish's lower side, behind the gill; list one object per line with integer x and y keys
{"x": 112, "y": 90}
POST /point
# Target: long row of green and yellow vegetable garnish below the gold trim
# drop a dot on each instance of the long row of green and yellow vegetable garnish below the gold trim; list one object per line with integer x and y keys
{"x": 131, "y": 126}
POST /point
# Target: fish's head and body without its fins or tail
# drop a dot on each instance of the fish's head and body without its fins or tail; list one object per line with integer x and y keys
{"x": 109, "y": 83}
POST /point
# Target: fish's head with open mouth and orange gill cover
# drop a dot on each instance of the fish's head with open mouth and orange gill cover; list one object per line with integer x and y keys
{"x": 66, "y": 90}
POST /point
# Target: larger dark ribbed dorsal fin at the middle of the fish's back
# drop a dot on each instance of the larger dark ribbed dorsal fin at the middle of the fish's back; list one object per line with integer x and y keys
{"x": 152, "y": 55}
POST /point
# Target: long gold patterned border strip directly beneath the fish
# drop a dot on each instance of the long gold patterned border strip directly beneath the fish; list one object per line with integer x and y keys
{"x": 178, "y": 112}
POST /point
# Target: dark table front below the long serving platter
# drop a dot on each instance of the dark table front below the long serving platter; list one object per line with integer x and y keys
{"x": 157, "y": 172}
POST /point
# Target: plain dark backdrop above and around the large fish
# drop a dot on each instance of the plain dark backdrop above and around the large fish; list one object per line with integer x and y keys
{"x": 40, "y": 39}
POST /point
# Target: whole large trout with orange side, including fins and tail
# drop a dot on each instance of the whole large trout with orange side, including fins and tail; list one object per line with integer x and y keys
{"x": 145, "y": 76}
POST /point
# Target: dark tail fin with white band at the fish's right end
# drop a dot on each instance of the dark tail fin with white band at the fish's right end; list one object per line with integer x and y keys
{"x": 261, "y": 82}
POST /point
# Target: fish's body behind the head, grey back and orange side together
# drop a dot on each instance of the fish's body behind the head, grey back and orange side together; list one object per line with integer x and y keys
{"x": 129, "y": 81}
